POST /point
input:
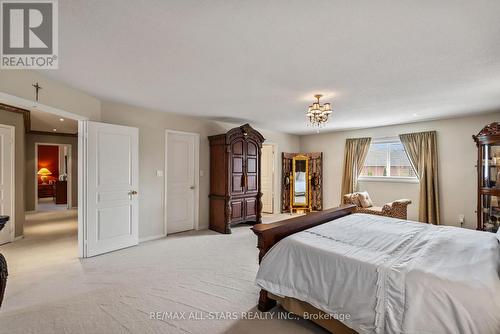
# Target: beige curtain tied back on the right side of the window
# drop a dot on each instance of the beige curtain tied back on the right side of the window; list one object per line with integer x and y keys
{"x": 421, "y": 149}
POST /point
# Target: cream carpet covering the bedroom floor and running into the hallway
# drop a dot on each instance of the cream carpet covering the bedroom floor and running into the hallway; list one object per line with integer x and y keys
{"x": 194, "y": 274}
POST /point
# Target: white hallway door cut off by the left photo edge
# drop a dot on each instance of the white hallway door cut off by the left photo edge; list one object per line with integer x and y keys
{"x": 6, "y": 181}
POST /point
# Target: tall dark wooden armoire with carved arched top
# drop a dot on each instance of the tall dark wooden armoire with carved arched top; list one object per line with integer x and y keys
{"x": 235, "y": 187}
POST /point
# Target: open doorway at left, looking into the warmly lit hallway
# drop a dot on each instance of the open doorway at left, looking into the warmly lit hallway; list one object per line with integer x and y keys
{"x": 38, "y": 154}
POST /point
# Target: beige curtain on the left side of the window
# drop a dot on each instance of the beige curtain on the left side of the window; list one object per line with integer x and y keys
{"x": 354, "y": 157}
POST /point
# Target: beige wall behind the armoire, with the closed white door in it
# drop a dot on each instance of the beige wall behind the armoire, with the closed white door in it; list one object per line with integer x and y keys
{"x": 152, "y": 126}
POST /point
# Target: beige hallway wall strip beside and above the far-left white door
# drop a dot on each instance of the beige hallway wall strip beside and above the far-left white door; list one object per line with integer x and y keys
{"x": 16, "y": 120}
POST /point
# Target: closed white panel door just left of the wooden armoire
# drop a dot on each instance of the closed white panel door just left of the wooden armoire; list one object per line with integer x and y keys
{"x": 181, "y": 181}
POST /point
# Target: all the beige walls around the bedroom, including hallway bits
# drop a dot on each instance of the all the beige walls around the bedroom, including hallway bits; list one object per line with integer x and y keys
{"x": 456, "y": 148}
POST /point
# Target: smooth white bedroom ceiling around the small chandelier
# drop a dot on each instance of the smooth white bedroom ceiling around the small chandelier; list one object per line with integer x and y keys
{"x": 379, "y": 62}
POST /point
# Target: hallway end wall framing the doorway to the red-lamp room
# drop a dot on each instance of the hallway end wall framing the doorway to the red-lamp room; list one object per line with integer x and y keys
{"x": 30, "y": 177}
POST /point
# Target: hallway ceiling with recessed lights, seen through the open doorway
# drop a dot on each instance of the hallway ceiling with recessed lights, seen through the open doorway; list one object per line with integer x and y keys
{"x": 46, "y": 122}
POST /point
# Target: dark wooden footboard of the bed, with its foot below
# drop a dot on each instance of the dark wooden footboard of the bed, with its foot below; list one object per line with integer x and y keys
{"x": 270, "y": 234}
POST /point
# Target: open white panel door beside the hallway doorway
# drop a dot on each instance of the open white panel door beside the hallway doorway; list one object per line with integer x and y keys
{"x": 112, "y": 187}
